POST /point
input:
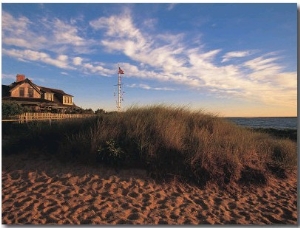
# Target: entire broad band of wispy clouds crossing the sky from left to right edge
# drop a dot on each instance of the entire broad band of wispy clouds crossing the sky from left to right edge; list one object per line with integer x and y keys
{"x": 164, "y": 57}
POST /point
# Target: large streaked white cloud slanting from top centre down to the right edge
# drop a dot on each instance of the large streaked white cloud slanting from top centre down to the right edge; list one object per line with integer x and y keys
{"x": 174, "y": 61}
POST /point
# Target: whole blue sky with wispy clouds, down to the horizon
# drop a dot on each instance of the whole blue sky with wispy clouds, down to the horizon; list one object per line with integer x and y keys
{"x": 226, "y": 59}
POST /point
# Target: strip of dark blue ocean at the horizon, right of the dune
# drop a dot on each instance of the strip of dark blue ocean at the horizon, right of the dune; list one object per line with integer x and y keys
{"x": 266, "y": 122}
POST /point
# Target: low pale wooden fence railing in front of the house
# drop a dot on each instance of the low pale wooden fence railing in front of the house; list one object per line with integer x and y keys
{"x": 28, "y": 116}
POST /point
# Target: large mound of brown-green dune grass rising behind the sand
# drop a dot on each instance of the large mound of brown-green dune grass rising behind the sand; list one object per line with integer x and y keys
{"x": 169, "y": 142}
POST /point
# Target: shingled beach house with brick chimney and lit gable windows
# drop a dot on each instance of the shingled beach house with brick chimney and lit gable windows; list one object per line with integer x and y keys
{"x": 39, "y": 98}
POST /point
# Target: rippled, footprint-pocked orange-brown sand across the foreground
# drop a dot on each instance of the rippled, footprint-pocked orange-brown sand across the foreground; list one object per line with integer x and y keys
{"x": 37, "y": 189}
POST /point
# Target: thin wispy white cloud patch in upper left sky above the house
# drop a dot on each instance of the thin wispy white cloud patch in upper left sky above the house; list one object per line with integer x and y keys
{"x": 51, "y": 34}
